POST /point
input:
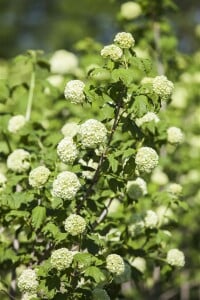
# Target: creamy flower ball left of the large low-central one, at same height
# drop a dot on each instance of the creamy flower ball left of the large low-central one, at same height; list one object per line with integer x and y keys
{"x": 38, "y": 176}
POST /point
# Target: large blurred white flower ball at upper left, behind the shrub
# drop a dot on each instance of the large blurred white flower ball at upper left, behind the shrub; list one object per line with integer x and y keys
{"x": 63, "y": 62}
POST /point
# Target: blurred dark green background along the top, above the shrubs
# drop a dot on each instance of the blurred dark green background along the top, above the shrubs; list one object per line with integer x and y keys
{"x": 53, "y": 24}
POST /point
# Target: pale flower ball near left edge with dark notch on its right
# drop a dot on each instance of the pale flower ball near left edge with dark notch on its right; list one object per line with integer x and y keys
{"x": 19, "y": 161}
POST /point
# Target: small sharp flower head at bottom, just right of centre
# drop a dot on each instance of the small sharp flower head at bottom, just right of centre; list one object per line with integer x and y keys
{"x": 115, "y": 264}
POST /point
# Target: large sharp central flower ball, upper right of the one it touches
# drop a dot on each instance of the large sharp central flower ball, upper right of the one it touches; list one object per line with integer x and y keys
{"x": 92, "y": 133}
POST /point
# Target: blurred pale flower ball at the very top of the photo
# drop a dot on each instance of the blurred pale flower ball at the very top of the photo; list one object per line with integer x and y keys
{"x": 130, "y": 10}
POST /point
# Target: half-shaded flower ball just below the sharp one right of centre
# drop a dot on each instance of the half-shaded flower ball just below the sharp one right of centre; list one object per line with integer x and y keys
{"x": 136, "y": 188}
